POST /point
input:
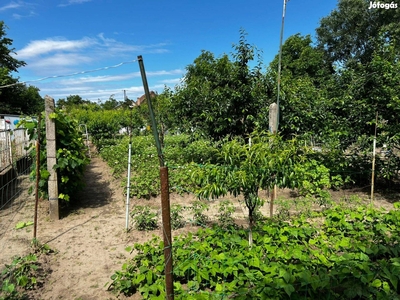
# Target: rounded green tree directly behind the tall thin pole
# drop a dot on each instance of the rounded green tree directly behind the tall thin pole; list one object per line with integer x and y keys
{"x": 304, "y": 106}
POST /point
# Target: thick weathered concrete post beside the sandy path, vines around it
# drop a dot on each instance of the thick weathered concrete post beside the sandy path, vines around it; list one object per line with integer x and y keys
{"x": 51, "y": 158}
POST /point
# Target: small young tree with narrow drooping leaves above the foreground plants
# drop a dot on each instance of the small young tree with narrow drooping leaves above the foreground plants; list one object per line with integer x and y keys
{"x": 244, "y": 169}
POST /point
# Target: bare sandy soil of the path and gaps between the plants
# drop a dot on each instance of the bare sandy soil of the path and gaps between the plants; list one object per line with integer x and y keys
{"x": 90, "y": 240}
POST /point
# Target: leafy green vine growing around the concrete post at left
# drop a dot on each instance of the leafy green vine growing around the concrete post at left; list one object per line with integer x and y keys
{"x": 71, "y": 155}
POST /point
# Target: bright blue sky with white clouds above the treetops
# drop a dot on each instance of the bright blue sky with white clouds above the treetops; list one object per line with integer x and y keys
{"x": 63, "y": 37}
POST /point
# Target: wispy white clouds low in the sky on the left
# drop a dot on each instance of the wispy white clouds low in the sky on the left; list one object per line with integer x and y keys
{"x": 55, "y": 59}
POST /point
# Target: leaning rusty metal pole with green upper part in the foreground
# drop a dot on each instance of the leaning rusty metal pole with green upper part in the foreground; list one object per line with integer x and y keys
{"x": 165, "y": 203}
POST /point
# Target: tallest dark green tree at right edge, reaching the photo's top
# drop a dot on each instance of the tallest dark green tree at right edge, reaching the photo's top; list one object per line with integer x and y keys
{"x": 362, "y": 45}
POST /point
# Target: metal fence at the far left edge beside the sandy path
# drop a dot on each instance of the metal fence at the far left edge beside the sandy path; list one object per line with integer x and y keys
{"x": 15, "y": 164}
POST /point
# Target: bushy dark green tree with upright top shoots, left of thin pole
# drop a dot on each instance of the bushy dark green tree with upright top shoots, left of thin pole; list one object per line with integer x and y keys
{"x": 220, "y": 96}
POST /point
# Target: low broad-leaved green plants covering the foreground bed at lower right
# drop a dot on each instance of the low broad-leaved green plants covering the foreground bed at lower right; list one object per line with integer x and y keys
{"x": 352, "y": 255}
